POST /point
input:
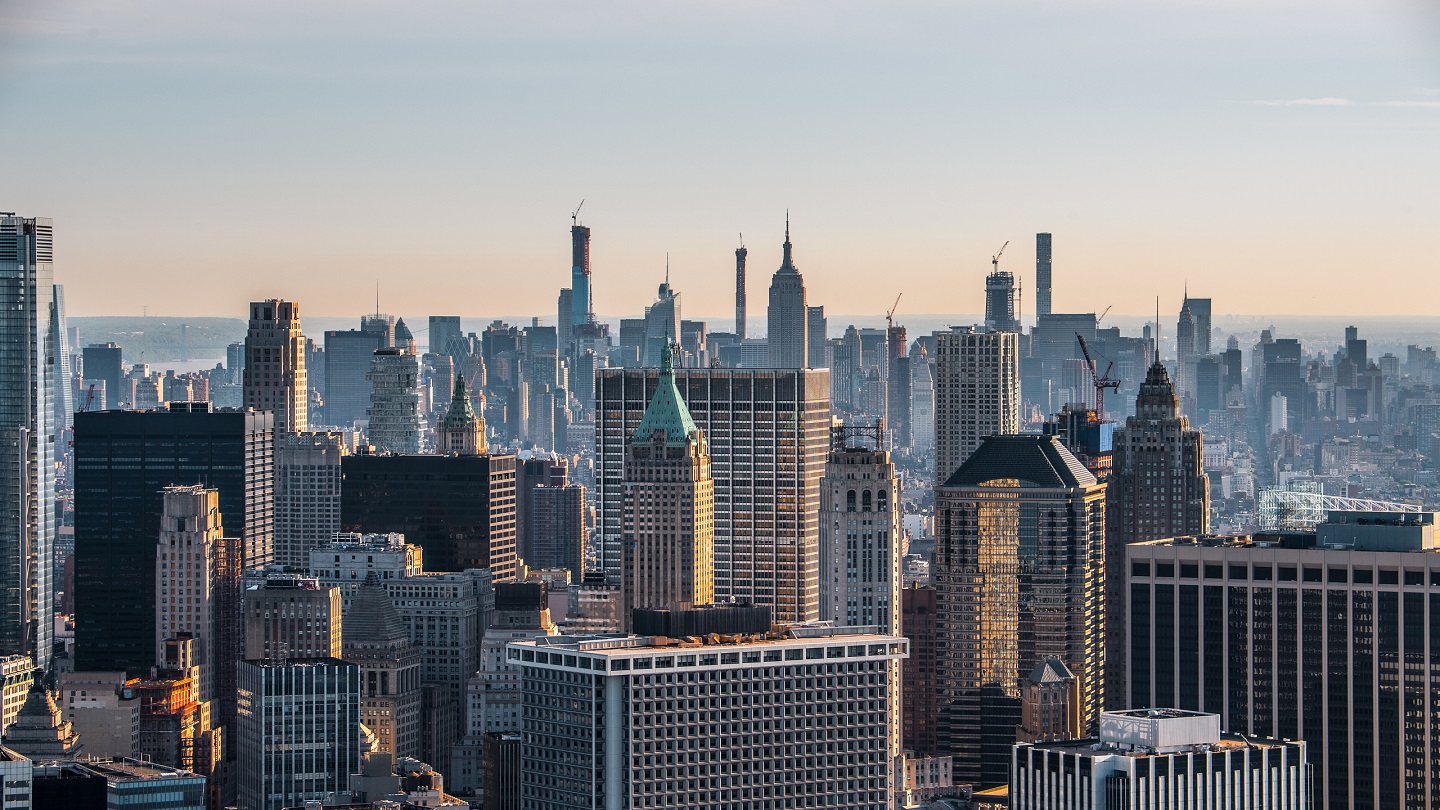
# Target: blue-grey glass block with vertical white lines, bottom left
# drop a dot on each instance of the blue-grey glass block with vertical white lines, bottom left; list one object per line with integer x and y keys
{"x": 299, "y": 734}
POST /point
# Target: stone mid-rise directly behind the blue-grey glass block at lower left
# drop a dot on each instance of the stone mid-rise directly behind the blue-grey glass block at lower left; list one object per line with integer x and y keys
{"x": 292, "y": 618}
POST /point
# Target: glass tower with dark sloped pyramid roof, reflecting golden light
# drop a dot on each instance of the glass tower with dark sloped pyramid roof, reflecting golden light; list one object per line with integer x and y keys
{"x": 1019, "y": 577}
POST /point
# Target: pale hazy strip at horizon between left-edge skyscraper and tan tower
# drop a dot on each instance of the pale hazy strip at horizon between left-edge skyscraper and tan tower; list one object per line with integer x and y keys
{"x": 163, "y": 339}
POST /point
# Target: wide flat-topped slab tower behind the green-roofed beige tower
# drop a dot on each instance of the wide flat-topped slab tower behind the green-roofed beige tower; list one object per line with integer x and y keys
{"x": 768, "y": 435}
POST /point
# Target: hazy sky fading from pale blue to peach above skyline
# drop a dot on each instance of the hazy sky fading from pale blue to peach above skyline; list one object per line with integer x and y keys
{"x": 1282, "y": 156}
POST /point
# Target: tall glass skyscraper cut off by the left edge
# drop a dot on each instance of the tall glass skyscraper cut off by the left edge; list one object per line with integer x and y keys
{"x": 28, "y": 437}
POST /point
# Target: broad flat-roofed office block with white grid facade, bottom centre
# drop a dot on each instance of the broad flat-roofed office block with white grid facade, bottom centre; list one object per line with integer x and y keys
{"x": 796, "y": 718}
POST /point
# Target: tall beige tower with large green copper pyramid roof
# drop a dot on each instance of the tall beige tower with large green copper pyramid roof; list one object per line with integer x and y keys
{"x": 669, "y": 530}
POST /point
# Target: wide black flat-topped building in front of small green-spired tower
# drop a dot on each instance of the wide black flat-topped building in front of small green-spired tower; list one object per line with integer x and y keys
{"x": 460, "y": 509}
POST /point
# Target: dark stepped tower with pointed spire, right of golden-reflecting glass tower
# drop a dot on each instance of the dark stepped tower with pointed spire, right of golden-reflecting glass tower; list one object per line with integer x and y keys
{"x": 1157, "y": 489}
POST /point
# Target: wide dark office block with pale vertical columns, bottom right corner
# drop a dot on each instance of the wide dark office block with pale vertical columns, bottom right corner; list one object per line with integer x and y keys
{"x": 1327, "y": 638}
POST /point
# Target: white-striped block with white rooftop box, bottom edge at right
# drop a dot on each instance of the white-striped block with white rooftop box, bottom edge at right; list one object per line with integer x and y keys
{"x": 1161, "y": 760}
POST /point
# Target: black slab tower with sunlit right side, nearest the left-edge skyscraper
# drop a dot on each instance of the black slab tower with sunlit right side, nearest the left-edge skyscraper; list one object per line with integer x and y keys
{"x": 123, "y": 462}
